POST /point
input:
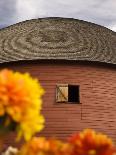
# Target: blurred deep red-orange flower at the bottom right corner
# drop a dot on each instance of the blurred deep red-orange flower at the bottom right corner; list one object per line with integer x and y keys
{"x": 90, "y": 143}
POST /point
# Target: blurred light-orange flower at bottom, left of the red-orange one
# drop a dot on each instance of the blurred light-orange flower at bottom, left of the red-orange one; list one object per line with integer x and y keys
{"x": 42, "y": 146}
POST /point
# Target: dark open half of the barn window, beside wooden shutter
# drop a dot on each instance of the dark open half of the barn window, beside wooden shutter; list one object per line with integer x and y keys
{"x": 73, "y": 94}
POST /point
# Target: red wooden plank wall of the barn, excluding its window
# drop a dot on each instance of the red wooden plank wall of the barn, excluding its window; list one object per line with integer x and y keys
{"x": 97, "y": 96}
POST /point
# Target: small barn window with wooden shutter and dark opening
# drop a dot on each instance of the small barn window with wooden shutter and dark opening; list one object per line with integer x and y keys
{"x": 67, "y": 93}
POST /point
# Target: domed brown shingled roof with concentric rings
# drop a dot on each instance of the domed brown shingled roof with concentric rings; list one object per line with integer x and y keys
{"x": 57, "y": 39}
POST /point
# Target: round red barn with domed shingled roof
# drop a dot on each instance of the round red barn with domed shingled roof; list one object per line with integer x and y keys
{"x": 75, "y": 61}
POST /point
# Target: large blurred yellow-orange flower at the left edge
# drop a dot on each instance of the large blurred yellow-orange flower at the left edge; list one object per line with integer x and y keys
{"x": 20, "y": 104}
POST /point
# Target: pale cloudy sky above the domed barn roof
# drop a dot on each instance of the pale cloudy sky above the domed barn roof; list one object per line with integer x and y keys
{"x": 102, "y": 12}
